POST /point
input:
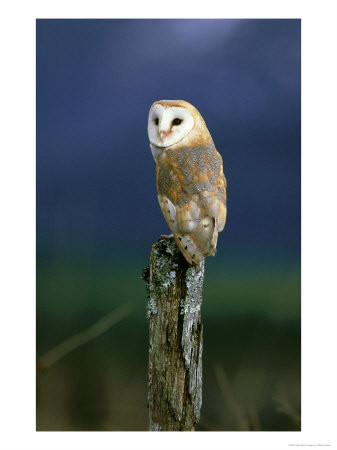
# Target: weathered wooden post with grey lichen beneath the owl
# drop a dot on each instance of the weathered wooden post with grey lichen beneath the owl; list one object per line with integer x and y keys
{"x": 175, "y": 354}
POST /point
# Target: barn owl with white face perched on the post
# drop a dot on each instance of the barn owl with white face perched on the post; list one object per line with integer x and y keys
{"x": 191, "y": 185}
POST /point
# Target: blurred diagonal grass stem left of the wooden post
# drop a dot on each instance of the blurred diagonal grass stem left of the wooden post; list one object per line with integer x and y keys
{"x": 79, "y": 339}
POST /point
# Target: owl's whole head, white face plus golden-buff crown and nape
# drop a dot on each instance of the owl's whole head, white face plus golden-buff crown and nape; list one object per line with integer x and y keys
{"x": 170, "y": 121}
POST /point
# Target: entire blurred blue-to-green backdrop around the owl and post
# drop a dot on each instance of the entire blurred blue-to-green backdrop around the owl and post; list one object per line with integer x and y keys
{"x": 98, "y": 214}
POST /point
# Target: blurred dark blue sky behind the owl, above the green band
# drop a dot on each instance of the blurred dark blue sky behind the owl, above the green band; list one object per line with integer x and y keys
{"x": 96, "y": 80}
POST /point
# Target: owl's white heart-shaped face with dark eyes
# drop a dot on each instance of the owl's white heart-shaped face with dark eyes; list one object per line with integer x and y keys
{"x": 167, "y": 126}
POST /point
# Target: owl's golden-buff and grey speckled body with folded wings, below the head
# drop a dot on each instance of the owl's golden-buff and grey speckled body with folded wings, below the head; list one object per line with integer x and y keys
{"x": 193, "y": 203}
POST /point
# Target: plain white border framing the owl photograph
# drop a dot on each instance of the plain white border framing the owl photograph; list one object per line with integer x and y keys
{"x": 319, "y": 218}
